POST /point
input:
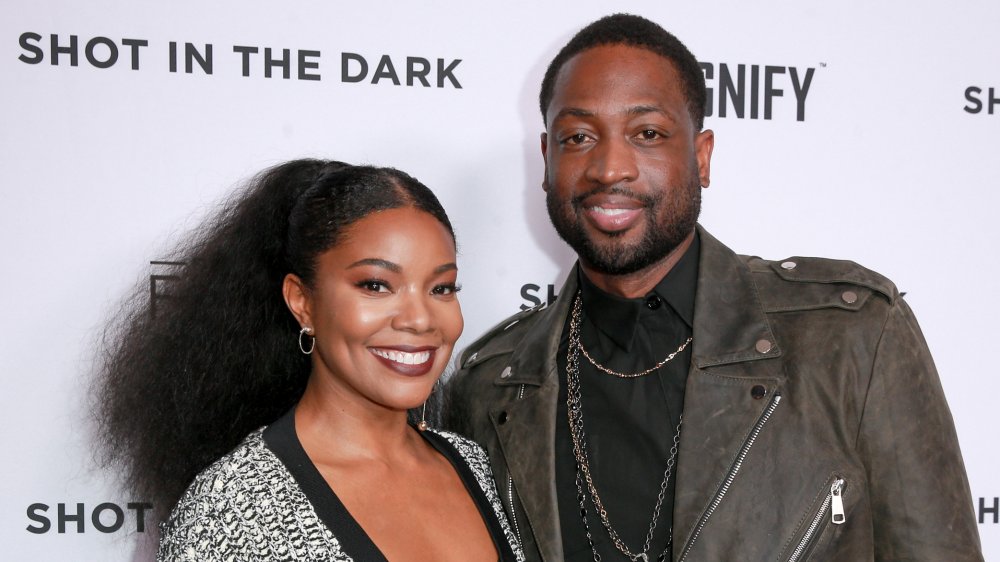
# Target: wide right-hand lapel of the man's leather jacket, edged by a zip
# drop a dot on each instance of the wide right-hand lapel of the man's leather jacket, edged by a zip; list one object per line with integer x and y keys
{"x": 735, "y": 356}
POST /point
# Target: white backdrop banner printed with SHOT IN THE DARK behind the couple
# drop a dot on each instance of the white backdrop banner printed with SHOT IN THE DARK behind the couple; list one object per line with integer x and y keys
{"x": 862, "y": 131}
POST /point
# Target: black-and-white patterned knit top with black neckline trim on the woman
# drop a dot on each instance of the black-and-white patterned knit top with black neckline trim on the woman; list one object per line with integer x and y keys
{"x": 266, "y": 501}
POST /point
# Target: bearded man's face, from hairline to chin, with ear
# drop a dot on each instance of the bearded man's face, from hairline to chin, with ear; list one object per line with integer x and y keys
{"x": 624, "y": 165}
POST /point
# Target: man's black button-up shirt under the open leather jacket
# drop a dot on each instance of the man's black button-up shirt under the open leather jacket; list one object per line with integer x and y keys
{"x": 629, "y": 423}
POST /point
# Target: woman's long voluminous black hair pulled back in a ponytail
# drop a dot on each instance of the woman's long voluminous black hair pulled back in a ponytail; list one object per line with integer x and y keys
{"x": 181, "y": 384}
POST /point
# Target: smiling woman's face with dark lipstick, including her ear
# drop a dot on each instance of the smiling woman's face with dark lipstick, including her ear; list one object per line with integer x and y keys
{"x": 384, "y": 309}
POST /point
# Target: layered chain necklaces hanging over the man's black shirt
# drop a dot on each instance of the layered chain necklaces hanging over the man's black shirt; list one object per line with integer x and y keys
{"x": 574, "y": 408}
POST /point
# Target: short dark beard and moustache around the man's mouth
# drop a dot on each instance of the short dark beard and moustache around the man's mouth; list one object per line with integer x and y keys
{"x": 668, "y": 223}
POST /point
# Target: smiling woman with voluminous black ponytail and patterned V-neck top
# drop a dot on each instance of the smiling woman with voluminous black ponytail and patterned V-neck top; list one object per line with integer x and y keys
{"x": 312, "y": 314}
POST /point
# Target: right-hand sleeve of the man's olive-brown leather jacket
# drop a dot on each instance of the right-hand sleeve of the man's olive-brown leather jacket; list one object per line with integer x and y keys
{"x": 921, "y": 505}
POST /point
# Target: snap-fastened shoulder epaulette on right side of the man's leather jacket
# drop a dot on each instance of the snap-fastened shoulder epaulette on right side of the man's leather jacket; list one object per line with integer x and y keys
{"x": 806, "y": 283}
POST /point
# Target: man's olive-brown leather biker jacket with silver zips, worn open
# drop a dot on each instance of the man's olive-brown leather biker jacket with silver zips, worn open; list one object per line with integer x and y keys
{"x": 815, "y": 426}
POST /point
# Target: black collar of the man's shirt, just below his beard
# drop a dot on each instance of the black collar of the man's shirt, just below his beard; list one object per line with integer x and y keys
{"x": 619, "y": 318}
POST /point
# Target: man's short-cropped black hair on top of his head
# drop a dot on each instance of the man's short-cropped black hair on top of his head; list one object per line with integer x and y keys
{"x": 634, "y": 31}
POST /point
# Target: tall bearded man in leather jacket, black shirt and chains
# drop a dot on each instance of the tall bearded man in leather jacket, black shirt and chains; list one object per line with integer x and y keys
{"x": 678, "y": 401}
